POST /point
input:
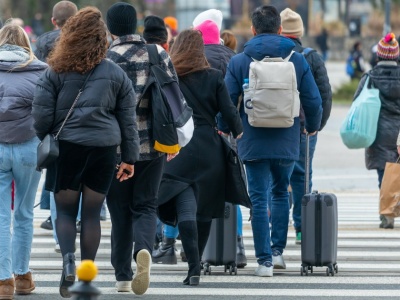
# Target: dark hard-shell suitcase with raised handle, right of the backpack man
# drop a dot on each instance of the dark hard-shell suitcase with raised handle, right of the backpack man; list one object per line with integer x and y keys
{"x": 319, "y": 228}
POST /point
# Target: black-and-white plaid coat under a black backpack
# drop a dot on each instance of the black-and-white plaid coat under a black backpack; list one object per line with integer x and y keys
{"x": 130, "y": 53}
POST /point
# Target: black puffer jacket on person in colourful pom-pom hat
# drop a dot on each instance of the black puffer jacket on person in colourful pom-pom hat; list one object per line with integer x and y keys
{"x": 385, "y": 76}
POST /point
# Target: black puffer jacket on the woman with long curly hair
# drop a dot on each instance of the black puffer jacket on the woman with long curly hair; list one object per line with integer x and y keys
{"x": 104, "y": 115}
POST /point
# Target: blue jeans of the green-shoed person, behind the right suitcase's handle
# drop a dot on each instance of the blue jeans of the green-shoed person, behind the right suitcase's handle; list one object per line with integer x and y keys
{"x": 297, "y": 180}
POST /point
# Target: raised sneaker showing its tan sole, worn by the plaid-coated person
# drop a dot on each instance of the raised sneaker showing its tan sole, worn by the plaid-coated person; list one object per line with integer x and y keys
{"x": 141, "y": 279}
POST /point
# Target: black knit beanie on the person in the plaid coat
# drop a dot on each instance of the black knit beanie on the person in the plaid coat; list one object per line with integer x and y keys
{"x": 121, "y": 19}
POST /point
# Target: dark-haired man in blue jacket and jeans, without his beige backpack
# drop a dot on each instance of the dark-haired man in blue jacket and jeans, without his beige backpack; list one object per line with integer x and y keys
{"x": 270, "y": 153}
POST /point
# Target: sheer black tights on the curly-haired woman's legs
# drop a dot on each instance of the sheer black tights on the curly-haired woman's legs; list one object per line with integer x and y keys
{"x": 67, "y": 206}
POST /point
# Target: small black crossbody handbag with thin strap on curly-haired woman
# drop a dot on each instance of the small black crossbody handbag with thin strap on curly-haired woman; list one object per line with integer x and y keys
{"x": 48, "y": 149}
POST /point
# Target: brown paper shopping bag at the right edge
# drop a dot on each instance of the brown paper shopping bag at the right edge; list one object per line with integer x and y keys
{"x": 389, "y": 204}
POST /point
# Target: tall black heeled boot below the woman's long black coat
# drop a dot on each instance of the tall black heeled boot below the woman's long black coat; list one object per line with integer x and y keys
{"x": 188, "y": 232}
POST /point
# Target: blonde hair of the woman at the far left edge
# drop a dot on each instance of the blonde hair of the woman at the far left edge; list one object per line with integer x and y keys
{"x": 15, "y": 35}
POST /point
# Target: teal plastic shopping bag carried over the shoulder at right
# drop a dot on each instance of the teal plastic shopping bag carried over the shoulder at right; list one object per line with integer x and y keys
{"x": 359, "y": 128}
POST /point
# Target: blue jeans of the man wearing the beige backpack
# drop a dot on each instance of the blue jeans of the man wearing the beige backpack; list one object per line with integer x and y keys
{"x": 259, "y": 174}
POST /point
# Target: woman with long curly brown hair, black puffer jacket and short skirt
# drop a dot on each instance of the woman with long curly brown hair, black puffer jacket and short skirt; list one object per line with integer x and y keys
{"x": 103, "y": 118}
